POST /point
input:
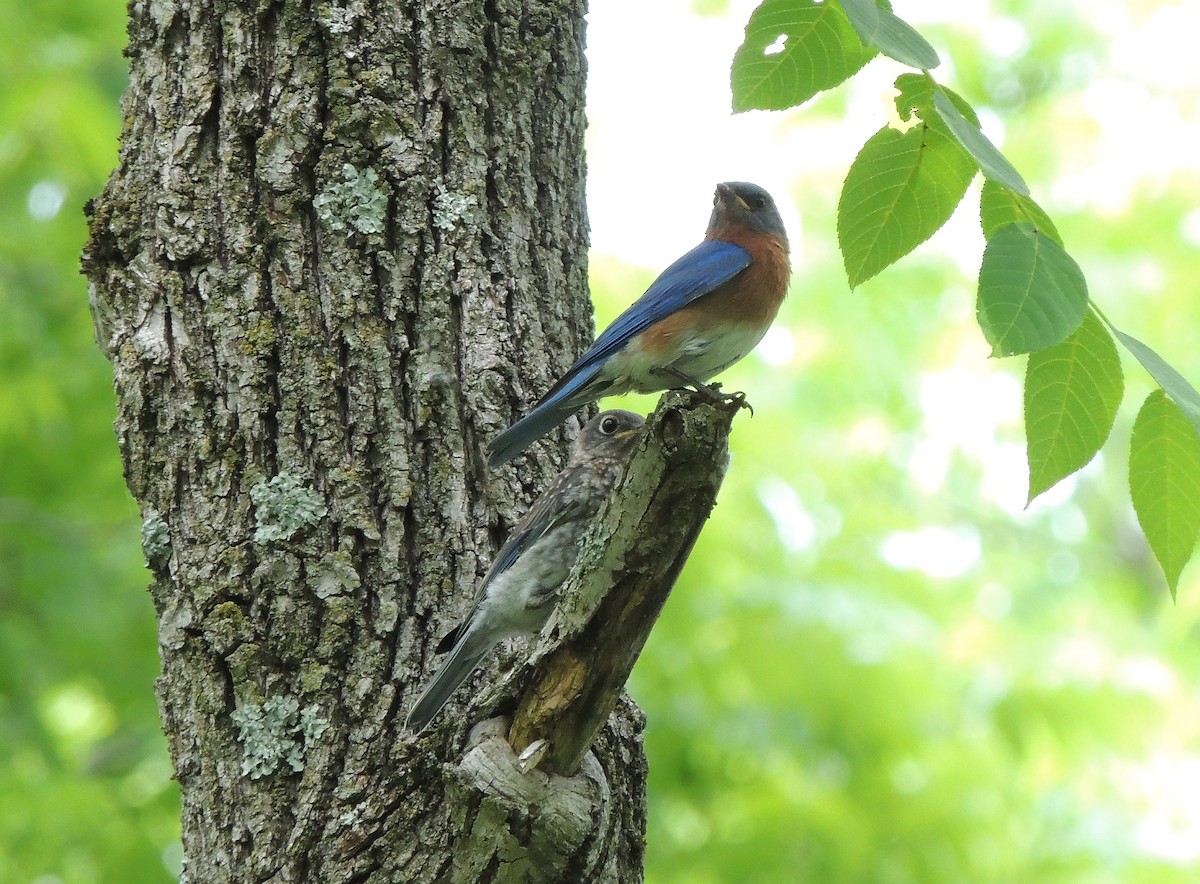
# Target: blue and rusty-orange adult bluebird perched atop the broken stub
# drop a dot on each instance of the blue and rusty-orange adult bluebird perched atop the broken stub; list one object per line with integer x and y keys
{"x": 703, "y": 315}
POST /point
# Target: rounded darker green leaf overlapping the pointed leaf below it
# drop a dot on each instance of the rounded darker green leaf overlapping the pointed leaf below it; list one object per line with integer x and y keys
{"x": 1031, "y": 293}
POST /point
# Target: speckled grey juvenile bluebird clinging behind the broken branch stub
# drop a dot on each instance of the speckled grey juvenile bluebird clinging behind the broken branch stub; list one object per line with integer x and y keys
{"x": 520, "y": 590}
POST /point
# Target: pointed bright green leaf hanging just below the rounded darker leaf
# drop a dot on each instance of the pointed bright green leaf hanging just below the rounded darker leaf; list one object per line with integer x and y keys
{"x": 1072, "y": 394}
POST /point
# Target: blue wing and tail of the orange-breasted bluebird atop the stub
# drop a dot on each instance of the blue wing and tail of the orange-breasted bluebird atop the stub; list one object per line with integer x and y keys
{"x": 700, "y": 272}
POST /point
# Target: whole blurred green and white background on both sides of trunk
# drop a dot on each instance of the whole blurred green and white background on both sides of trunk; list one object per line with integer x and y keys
{"x": 879, "y": 666}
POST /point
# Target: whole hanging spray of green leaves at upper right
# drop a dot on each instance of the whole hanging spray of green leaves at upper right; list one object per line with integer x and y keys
{"x": 907, "y": 183}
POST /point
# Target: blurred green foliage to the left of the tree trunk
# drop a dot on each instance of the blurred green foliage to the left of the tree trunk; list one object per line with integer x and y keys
{"x": 83, "y": 766}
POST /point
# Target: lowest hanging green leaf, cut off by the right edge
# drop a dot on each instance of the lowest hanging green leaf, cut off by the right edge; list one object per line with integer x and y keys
{"x": 1165, "y": 483}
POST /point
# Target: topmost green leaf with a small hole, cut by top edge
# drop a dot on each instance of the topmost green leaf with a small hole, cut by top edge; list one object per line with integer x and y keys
{"x": 819, "y": 51}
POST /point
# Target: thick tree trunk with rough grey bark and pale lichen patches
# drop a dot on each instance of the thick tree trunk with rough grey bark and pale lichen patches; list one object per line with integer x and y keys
{"x": 346, "y": 245}
